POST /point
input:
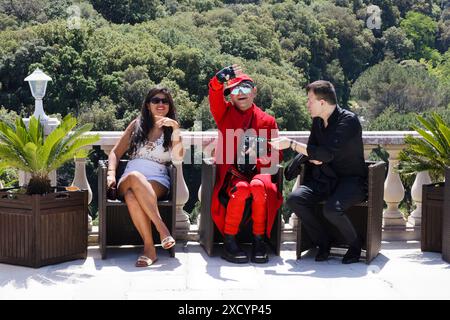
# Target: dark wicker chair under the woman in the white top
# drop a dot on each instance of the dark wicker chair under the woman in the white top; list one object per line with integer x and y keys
{"x": 115, "y": 225}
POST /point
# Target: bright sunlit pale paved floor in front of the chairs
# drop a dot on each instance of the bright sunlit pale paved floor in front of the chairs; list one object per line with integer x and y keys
{"x": 401, "y": 271}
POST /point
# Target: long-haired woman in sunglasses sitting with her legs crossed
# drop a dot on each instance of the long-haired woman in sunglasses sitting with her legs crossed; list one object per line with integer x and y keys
{"x": 152, "y": 140}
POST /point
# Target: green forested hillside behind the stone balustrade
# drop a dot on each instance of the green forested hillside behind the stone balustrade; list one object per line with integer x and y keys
{"x": 104, "y": 55}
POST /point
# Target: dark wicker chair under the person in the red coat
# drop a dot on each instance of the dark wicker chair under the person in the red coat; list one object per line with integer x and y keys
{"x": 208, "y": 232}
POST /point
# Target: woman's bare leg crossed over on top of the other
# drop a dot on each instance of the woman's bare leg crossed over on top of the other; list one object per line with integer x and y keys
{"x": 147, "y": 198}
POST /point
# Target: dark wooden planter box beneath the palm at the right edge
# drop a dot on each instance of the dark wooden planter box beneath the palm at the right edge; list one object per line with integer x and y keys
{"x": 432, "y": 212}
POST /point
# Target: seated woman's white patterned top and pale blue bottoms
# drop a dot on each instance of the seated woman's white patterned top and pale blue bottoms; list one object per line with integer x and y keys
{"x": 151, "y": 160}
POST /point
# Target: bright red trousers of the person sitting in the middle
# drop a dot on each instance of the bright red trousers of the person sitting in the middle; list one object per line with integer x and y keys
{"x": 239, "y": 191}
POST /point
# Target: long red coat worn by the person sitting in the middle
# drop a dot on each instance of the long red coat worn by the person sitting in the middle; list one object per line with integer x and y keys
{"x": 229, "y": 117}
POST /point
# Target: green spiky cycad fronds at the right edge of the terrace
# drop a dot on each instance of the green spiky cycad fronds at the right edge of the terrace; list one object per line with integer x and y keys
{"x": 429, "y": 153}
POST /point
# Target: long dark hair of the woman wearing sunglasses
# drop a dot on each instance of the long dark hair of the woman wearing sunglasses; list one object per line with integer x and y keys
{"x": 145, "y": 121}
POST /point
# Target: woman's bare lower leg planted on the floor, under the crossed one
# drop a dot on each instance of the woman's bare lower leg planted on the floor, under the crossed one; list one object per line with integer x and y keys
{"x": 142, "y": 223}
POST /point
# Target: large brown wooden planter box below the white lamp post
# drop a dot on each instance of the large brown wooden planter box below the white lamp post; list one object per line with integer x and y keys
{"x": 41, "y": 230}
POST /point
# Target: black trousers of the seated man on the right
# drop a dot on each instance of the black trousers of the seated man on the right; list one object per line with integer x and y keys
{"x": 349, "y": 191}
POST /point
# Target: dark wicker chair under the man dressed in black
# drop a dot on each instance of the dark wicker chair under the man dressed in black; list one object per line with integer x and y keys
{"x": 366, "y": 217}
